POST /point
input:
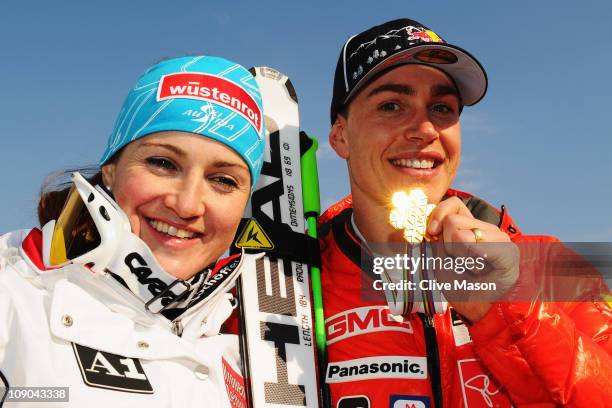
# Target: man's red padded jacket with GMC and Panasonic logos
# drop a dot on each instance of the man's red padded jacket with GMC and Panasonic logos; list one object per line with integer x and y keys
{"x": 540, "y": 354}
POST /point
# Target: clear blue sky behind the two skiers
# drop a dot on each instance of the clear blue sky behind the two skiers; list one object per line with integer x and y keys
{"x": 540, "y": 142}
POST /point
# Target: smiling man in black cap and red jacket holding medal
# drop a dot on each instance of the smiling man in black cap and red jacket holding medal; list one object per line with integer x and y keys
{"x": 399, "y": 90}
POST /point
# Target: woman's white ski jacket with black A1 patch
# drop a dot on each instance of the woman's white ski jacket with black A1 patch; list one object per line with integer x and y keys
{"x": 68, "y": 328}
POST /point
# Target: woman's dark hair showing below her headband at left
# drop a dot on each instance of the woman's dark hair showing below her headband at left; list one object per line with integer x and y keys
{"x": 55, "y": 189}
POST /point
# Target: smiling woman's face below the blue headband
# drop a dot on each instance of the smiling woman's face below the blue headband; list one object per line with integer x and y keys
{"x": 184, "y": 195}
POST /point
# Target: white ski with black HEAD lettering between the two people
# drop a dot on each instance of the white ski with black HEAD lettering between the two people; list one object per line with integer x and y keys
{"x": 276, "y": 320}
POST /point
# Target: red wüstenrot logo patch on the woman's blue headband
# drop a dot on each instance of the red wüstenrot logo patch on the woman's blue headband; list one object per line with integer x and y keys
{"x": 206, "y": 87}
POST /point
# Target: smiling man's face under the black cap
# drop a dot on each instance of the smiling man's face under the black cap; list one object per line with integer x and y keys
{"x": 402, "y": 131}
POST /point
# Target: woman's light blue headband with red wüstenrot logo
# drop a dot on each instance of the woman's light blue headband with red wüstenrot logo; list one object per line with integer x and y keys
{"x": 209, "y": 96}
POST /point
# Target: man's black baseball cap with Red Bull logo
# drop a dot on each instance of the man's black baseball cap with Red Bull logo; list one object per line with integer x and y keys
{"x": 403, "y": 41}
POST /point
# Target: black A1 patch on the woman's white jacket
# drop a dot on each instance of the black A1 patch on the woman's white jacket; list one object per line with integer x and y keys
{"x": 106, "y": 370}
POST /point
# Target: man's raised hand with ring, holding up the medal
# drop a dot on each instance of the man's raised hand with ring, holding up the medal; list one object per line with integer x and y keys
{"x": 457, "y": 234}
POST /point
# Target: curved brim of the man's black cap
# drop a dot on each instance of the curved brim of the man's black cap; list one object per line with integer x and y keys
{"x": 465, "y": 70}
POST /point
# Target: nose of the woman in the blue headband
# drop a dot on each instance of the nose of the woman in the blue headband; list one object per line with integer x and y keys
{"x": 188, "y": 198}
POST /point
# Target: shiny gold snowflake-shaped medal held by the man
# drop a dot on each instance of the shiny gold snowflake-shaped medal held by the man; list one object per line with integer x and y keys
{"x": 410, "y": 212}
